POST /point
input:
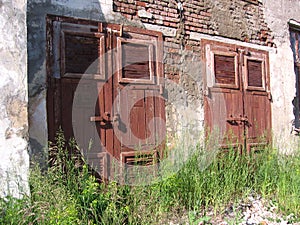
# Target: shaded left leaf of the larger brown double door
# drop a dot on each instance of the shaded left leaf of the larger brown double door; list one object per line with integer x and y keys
{"x": 75, "y": 71}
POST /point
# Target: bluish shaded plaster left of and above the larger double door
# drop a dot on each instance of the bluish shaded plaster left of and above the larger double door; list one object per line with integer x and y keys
{"x": 36, "y": 50}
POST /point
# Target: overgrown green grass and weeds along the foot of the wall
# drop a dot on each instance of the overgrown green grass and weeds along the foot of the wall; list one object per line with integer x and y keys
{"x": 68, "y": 194}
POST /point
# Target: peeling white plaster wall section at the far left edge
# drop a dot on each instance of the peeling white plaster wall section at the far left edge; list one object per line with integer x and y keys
{"x": 14, "y": 156}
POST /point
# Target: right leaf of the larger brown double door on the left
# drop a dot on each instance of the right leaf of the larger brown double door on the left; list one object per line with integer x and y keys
{"x": 137, "y": 107}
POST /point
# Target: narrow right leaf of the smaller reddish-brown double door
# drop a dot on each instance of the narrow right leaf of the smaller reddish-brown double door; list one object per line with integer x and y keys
{"x": 257, "y": 100}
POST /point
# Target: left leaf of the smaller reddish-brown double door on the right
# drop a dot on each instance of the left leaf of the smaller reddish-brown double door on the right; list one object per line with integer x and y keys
{"x": 224, "y": 98}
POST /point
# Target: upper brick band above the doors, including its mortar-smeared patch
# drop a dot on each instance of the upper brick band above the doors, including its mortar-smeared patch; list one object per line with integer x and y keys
{"x": 237, "y": 19}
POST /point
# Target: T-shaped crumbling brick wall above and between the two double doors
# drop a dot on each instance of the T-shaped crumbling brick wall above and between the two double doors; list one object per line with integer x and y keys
{"x": 236, "y": 19}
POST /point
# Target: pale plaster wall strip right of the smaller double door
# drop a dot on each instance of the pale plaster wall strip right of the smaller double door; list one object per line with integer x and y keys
{"x": 283, "y": 78}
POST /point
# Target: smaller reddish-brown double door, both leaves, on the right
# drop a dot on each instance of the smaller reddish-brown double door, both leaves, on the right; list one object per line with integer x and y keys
{"x": 237, "y": 103}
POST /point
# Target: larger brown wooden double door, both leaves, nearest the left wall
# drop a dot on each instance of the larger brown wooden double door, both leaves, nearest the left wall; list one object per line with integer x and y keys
{"x": 105, "y": 85}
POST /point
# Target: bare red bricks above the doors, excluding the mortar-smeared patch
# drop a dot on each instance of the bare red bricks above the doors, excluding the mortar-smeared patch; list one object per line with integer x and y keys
{"x": 198, "y": 18}
